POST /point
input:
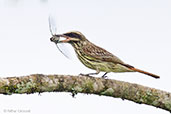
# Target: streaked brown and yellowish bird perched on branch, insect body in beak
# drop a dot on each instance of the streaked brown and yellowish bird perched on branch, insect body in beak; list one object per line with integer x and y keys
{"x": 95, "y": 57}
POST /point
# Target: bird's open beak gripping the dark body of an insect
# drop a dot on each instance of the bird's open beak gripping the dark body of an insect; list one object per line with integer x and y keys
{"x": 60, "y": 38}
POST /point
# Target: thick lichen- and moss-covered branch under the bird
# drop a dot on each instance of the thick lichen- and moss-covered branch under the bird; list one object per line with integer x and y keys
{"x": 83, "y": 84}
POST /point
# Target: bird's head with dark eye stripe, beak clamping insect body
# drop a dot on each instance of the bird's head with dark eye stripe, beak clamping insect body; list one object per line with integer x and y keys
{"x": 69, "y": 37}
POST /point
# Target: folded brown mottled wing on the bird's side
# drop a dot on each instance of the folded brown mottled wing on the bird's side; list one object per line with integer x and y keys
{"x": 100, "y": 53}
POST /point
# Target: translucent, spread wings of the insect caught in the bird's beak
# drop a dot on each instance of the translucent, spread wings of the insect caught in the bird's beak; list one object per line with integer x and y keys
{"x": 53, "y": 30}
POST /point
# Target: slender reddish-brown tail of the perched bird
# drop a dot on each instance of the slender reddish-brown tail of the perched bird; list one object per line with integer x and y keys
{"x": 141, "y": 71}
